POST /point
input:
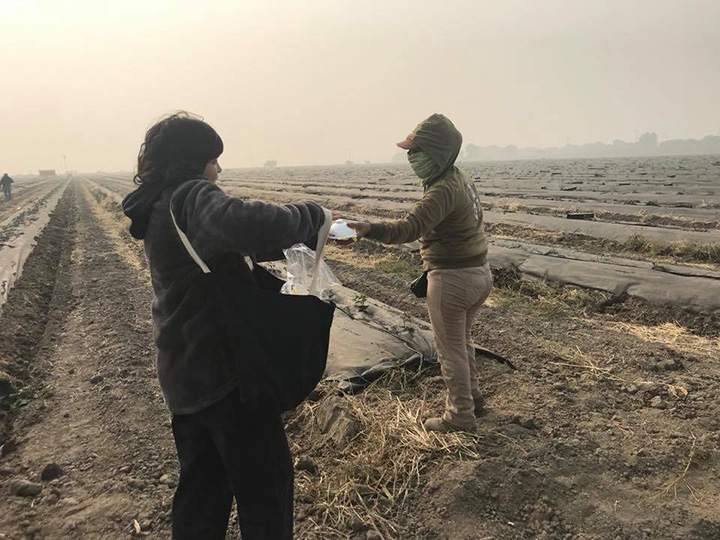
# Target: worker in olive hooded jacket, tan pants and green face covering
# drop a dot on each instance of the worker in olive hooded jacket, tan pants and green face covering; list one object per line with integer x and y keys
{"x": 448, "y": 221}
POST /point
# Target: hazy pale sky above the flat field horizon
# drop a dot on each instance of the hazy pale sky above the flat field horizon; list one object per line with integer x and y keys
{"x": 313, "y": 81}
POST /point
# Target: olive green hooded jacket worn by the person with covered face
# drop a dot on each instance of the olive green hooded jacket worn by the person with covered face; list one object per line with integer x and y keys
{"x": 448, "y": 220}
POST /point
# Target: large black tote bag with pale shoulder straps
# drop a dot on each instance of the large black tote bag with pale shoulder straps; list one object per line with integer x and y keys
{"x": 278, "y": 342}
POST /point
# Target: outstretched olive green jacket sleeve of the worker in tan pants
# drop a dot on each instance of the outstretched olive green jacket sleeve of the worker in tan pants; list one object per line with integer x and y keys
{"x": 428, "y": 212}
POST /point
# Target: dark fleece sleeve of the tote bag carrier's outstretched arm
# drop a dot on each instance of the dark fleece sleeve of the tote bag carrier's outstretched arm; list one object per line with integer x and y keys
{"x": 216, "y": 222}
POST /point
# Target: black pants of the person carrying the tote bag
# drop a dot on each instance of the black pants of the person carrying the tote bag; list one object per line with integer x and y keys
{"x": 226, "y": 450}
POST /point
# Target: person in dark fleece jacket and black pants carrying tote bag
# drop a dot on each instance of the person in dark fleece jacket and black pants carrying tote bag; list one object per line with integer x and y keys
{"x": 227, "y": 447}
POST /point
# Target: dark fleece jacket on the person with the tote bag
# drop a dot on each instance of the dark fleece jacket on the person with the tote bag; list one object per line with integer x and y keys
{"x": 193, "y": 364}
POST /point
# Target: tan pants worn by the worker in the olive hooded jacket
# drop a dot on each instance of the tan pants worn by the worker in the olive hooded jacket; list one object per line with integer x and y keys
{"x": 454, "y": 298}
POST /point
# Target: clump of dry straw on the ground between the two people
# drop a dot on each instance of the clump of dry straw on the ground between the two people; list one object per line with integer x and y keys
{"x": 370, "y": 480}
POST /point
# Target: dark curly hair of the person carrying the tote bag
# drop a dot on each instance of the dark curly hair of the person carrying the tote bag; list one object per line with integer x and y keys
{"x": 176, "y": 149}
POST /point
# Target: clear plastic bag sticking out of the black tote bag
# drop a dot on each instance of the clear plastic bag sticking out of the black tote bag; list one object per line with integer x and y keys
{"x": 300, "y": 274}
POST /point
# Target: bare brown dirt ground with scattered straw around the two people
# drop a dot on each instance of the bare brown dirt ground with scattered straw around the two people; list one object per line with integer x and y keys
{"x": 608, "y": 429}
